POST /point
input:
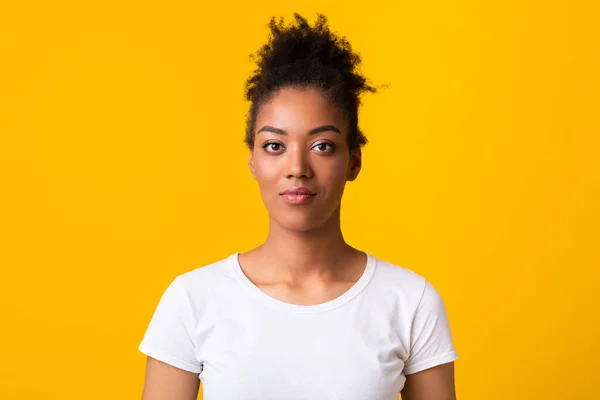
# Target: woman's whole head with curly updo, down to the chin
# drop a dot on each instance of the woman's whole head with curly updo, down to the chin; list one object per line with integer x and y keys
{"x": 302, "y": 127}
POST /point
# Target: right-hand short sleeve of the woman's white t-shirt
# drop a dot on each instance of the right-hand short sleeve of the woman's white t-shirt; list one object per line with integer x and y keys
{"x": 431, "y": 339}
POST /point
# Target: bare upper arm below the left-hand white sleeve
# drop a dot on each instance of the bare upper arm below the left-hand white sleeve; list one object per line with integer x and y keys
{"x": 165, "y": 382}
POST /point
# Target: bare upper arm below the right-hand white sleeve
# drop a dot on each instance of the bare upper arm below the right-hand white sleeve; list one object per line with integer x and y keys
{"x": 435, "y": 383}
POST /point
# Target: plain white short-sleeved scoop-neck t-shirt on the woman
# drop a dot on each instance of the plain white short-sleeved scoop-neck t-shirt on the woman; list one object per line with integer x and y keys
{"x": 245, "y": 344}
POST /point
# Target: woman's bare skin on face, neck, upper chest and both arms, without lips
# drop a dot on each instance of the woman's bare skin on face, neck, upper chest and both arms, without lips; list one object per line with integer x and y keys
{"x": 304, "y": 259}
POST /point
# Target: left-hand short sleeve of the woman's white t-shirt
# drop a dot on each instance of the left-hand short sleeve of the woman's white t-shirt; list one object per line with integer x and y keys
{"x": 170, "y": 335}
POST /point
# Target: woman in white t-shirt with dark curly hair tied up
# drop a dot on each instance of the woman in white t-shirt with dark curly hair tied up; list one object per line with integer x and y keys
{"x": 304, "y": 315}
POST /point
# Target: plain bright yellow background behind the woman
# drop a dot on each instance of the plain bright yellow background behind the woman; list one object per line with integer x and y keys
{"x": 122, "y": 165}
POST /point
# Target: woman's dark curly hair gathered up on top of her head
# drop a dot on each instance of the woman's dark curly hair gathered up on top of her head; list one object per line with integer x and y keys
{"x": 307, "y": 56}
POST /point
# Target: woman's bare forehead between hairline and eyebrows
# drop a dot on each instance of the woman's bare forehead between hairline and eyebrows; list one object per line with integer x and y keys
{"x": 300, "y": 108}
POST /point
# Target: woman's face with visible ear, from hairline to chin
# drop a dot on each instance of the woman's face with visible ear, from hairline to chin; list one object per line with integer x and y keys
{"x": 300, "y": 143}
